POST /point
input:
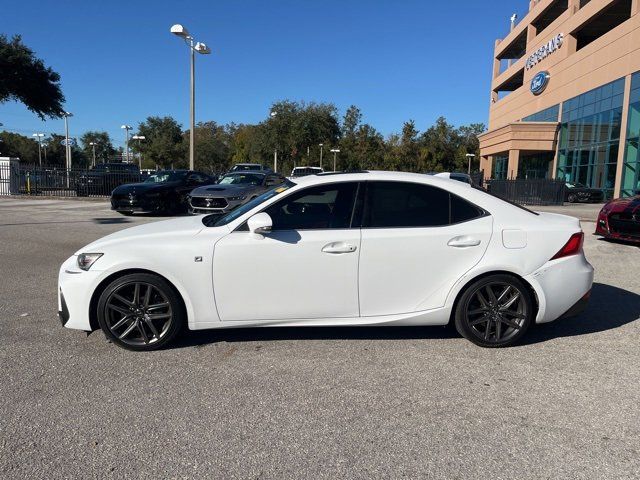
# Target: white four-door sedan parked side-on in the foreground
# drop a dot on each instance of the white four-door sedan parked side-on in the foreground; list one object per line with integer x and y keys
{"x": 366, "y": 248}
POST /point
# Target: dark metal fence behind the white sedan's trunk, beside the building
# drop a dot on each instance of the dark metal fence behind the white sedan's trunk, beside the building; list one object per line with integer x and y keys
{"x": 537, "y": 191}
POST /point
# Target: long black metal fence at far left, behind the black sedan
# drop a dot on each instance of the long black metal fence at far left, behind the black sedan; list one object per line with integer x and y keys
{"x": 59, "y": 182}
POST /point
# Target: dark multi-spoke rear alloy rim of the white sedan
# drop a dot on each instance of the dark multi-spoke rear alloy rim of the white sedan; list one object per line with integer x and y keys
{"x": 496, "y": 312}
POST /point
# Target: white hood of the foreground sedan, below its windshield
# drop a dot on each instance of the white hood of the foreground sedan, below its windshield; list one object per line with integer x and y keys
{"x": 172, "y": 230}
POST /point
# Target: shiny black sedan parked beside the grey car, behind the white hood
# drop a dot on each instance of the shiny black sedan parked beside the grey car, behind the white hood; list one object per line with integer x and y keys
{"x": 162, "y": 192}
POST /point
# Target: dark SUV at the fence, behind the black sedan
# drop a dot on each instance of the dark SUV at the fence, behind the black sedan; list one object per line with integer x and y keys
{"x": 104, "y": 177}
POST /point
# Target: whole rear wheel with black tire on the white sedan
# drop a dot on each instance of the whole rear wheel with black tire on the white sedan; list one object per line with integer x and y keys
{"x": 488, "y": 323}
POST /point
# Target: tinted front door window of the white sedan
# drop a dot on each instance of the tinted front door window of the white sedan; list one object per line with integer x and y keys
{"x": 320, "y": 207}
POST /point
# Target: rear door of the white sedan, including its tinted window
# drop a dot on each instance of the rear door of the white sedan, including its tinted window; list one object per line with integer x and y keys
{"x": 417, "y": 241}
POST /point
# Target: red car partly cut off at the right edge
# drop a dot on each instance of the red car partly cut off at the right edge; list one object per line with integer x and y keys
{"x": 620, "y": 219}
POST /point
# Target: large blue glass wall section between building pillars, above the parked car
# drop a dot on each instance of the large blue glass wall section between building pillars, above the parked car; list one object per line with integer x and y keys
{"x": 590, "y": 137}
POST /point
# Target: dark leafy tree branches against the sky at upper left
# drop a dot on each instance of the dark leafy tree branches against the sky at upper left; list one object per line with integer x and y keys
{"x": 26, "y": 79}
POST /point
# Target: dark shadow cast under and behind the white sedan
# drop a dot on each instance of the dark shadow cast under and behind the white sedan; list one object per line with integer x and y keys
{"x": 609, "y": 308}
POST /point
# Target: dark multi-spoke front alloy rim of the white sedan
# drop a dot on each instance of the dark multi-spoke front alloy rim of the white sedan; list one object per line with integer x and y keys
{"x": 138, "y": 314}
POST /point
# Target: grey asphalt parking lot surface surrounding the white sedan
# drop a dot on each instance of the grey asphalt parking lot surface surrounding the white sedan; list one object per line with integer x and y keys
{"x": 309, "y": 403}
